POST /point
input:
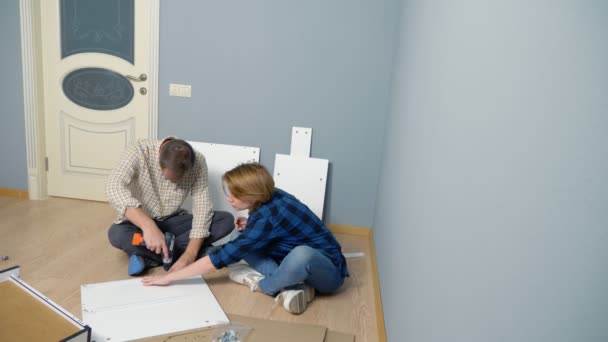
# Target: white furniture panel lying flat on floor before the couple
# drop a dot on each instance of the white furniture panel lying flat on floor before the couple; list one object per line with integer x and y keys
{"x": 125, "y": 310}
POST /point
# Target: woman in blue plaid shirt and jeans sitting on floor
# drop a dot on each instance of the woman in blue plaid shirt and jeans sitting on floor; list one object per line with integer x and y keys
{"x": 289, "y": 250}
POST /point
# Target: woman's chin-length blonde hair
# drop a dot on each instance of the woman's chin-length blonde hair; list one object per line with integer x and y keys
{"x": 249, "y": 182}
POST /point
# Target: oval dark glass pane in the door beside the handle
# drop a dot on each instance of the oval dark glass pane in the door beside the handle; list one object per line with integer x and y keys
{"x": 98, "y": 88}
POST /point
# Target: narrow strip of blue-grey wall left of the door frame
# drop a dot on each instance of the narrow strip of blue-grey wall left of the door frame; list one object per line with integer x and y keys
{"x": 13, "y": 167}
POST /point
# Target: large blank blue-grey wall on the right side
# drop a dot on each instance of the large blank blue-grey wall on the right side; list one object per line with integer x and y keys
{"x": 492, "y": 211}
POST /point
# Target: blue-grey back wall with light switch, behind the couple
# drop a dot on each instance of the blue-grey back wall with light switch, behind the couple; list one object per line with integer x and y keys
{"x": 257, "y": 68}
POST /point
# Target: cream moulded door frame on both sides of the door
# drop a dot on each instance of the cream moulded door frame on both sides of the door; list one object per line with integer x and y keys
{"x": 33, "y": 101}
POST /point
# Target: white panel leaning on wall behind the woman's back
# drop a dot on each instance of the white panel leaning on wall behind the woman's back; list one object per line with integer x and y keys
{"x": 303, "y": 177}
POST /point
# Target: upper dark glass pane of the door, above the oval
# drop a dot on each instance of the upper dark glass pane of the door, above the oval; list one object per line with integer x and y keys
{"x": 97, "y": 26}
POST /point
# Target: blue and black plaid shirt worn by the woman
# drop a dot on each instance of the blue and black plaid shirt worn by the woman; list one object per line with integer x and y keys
{"x": 276, "y": 228}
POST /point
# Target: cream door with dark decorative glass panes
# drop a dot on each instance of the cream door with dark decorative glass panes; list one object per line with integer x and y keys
{"x": 96, "y": 62}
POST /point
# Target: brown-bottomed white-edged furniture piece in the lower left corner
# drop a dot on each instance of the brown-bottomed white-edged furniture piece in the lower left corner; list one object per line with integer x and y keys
{"x": 27, "y": 315}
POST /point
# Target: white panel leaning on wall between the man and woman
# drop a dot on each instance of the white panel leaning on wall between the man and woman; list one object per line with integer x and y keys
{"x": 221, "y": 158}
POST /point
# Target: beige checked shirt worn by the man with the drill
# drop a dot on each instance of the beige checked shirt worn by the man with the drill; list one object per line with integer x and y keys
{"x": 138, "y": 182}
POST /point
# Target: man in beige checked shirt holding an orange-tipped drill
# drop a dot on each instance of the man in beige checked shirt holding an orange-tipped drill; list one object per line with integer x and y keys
{"x": 148, "y": 189}
